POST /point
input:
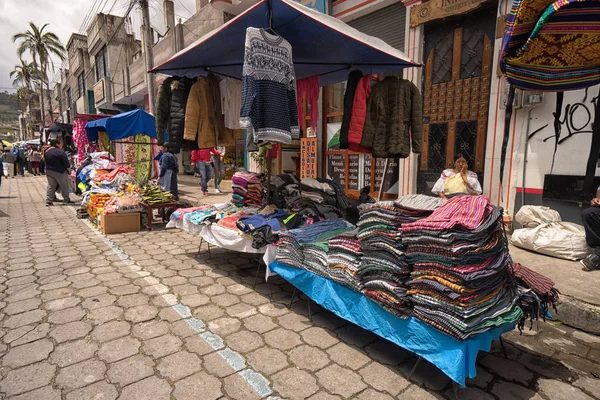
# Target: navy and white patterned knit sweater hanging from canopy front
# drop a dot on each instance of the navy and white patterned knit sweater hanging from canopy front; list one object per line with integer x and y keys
{"x": 269, "y": 109}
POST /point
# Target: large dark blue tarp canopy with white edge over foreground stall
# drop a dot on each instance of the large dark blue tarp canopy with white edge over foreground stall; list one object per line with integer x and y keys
{"x": 321, "y": 45}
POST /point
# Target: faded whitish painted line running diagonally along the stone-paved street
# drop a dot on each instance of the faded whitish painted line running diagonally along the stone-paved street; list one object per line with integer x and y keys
{"x": 236, "y": 361}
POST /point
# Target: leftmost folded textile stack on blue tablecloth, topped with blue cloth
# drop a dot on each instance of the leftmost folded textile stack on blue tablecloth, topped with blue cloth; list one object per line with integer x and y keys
{"x": 307, "y": 247}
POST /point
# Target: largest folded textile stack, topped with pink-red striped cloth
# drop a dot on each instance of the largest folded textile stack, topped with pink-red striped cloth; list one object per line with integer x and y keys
{"x": 461, "y": 282}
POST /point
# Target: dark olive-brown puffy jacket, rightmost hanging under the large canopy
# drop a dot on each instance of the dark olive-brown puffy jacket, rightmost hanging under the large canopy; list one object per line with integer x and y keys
{"x": 394, "y": 119}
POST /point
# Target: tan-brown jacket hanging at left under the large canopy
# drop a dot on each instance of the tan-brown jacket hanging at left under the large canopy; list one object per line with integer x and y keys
{"x": 200, "y": 119}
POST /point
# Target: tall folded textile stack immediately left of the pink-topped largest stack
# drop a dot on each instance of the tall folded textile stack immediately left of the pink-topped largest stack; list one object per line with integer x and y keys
{"x": 383, "y": 268}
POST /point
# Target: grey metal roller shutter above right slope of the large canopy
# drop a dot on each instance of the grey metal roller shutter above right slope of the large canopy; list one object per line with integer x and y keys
{"x": 387, "y": 24}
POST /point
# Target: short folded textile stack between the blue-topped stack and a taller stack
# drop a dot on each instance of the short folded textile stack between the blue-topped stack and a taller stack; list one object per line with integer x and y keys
{"x": 343, "y": 261}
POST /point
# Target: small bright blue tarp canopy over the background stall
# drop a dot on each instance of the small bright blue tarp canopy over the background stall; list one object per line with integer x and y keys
{"x": 123, "y": 125}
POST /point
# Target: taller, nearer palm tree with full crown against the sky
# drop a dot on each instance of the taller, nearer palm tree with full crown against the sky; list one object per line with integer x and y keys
{"x": 41, "y": 45}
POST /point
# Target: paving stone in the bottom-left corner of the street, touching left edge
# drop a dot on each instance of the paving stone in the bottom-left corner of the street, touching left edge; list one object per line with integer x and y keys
{"x": 31, "y": 377}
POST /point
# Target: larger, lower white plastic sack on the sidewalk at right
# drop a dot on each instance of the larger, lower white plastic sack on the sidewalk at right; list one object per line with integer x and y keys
{"x": 557, "y": 239}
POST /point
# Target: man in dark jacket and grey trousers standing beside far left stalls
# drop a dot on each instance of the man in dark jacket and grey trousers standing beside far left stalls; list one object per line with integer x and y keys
{"x": 57, "y": 172}
